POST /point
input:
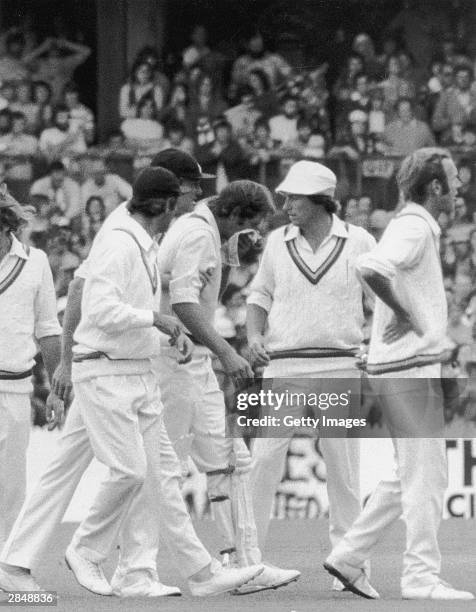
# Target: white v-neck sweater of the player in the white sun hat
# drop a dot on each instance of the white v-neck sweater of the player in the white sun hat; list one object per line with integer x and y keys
{"x": 312, "y": 308}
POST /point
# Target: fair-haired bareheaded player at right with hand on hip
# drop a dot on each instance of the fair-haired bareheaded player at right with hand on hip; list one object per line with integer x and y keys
{"x": 407, "y": 346}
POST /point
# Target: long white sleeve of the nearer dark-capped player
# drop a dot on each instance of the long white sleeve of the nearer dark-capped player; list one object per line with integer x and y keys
{"x": 103, "y": 294}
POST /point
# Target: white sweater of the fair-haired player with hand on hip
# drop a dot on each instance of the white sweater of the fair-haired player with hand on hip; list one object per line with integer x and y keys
{"x": 408, "y": 255}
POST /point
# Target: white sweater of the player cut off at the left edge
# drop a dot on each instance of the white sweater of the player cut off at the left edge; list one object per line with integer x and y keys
{"x": 27, "y": 312}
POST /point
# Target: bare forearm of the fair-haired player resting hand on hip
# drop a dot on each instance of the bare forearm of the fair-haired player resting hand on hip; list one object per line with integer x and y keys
{"x": 402, "y": 322}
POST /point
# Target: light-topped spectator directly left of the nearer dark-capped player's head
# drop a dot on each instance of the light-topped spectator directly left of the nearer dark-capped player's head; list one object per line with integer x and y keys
{"x": 111, "y": 188}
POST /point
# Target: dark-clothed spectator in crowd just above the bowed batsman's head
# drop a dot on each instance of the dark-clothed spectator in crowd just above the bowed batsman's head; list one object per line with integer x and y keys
{"x": 224, "y": 158}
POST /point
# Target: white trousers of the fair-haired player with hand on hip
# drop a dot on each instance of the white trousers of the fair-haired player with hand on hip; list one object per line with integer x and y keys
{"x": 416, "y": 491}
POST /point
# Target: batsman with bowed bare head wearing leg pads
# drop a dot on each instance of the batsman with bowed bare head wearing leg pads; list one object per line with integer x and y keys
{"x": 194, "y": 403}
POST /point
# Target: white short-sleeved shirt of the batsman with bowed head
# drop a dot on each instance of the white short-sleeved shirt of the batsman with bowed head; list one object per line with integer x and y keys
{"x": 192, "y": 245}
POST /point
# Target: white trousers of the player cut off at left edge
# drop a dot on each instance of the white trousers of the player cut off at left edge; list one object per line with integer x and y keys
{"x": 15, "y": 419}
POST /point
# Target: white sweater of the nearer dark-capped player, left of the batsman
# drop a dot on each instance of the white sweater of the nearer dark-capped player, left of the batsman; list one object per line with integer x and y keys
{"x": 118, "y": 302}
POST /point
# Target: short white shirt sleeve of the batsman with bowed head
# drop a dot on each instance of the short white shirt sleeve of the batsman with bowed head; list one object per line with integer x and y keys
{"x": 195, "y": 254}
